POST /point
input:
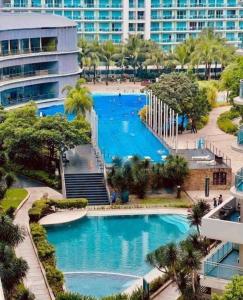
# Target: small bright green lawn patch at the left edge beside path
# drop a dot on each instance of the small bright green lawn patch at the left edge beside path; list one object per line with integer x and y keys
{"x": 13, "y": 197}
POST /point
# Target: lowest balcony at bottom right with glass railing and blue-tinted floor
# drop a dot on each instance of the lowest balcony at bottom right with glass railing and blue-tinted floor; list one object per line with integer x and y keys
{"x": 221, "y": 265}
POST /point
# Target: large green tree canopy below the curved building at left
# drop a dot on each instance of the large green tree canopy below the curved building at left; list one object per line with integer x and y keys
{"x": 39, "y": 138}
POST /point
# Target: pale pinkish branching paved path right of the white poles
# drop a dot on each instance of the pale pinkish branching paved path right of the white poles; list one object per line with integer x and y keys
{"x": 212, "y": 133}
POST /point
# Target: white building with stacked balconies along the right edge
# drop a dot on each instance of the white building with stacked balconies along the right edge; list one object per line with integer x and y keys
{"x": 225, "y": 223}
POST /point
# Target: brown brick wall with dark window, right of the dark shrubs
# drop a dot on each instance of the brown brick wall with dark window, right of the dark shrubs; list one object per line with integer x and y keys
{"x": 196, "y": 179}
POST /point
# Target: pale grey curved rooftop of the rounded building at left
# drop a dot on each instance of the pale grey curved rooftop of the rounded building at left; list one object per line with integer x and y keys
{"x": 12, "y": 21}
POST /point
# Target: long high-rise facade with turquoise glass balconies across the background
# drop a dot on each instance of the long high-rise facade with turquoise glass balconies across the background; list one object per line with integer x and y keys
{"x": 167, "y": 22}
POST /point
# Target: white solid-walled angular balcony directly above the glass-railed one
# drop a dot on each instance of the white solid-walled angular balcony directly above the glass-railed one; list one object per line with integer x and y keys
{"x": 222, "y": 223}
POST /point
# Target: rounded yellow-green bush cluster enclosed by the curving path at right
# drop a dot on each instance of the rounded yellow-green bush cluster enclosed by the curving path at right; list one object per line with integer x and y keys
{"x": 225, "y": 121}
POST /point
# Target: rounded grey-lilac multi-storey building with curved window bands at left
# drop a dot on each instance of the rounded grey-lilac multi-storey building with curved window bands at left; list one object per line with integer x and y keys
{"x": 38, "y": 57}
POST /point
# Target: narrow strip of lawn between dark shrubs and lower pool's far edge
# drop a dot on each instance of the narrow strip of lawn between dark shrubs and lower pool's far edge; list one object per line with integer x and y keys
{"x": 163, "y": 201}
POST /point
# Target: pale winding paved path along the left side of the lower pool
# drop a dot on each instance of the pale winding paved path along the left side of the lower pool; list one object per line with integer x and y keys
{"x": 34, "y": 279}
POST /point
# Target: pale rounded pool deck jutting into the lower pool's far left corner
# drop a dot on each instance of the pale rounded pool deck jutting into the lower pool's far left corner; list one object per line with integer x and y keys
{"x": 62, "y": 217}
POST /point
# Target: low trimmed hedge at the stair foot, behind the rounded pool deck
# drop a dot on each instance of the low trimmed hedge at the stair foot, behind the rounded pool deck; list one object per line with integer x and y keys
{"x": 43, "y": 207}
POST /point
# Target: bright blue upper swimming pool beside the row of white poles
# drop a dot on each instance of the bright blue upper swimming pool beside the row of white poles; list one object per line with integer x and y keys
{"x": 120, "y": 130}
